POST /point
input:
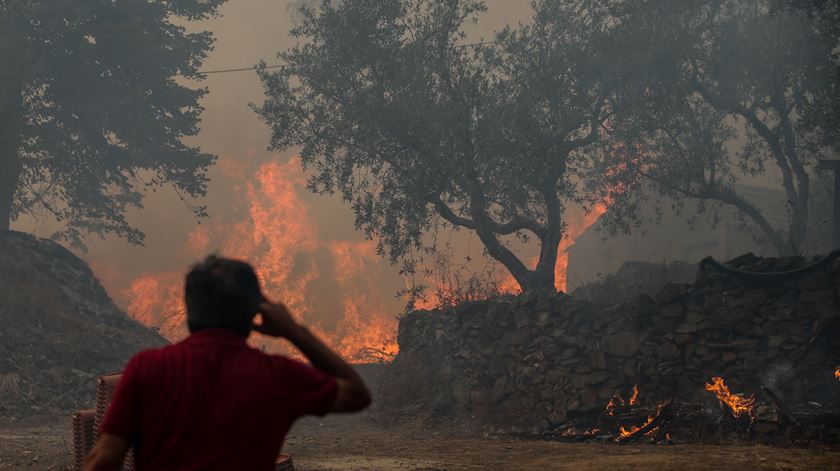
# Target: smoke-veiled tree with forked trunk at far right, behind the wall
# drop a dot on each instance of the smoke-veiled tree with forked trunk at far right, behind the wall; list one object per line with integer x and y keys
{"x": 723, "y": 91}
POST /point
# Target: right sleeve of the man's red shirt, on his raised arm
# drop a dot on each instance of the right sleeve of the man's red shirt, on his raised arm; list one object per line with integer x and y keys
{"x": 312, "y": 392}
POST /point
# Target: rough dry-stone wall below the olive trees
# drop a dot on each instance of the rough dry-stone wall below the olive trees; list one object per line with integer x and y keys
{"x": 529, "y": 360}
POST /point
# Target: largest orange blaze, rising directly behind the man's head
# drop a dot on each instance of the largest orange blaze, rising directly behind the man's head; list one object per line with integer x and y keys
{"x": 279, "y": 236}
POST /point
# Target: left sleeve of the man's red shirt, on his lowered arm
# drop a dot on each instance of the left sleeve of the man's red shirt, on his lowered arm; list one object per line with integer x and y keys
{"x": 123, "y": 416}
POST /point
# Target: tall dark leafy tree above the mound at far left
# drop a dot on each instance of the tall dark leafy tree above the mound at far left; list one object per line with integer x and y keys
{"x": 92, "y": 114}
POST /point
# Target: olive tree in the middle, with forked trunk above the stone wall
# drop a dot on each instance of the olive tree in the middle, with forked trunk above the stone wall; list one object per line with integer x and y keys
{"x": 392, "y": 108}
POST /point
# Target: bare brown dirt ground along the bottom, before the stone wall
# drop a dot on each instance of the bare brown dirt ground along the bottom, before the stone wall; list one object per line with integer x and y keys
{"x": 358, "y": 443}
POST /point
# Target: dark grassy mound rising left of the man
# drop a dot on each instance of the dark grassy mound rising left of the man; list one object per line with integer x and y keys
{"x": 59, "y": 329}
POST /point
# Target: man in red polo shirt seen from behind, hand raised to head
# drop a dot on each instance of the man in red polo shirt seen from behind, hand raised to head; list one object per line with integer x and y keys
{"x": 211, "y": 401}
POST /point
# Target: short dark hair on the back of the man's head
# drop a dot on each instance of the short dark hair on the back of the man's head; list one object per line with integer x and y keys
{"x": 222, "y": 293}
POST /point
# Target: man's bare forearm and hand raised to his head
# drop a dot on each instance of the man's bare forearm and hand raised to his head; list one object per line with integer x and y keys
{"x": 353, "y": 395}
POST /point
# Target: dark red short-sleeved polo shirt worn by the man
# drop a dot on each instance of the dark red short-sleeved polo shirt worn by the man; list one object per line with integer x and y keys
{"x": 213, "y": 402}
